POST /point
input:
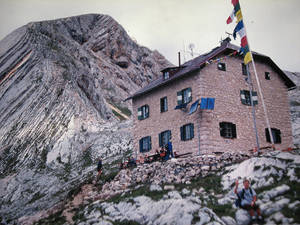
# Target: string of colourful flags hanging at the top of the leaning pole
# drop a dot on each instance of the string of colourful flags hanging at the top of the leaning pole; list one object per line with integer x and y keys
{"x": 240, "y": 30}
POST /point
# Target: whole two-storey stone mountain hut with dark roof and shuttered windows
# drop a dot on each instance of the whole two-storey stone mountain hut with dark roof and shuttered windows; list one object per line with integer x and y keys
{"x": 204, "y": 105}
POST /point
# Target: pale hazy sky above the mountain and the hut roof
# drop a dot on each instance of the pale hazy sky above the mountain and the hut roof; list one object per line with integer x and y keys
{"x": 273, "y": 26}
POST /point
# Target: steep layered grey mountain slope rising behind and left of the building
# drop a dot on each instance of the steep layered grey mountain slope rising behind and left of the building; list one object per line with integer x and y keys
{"x": 62, "y": 83}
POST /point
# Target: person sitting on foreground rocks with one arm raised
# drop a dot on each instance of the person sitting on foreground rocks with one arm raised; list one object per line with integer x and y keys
{"x": 248, "y": 198}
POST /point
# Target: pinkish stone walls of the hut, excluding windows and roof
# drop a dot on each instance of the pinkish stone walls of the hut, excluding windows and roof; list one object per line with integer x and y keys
{"x": 225, "y": 87}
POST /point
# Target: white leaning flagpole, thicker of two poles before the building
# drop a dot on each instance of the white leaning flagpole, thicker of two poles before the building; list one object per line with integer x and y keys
{"x": 260, "y": 91}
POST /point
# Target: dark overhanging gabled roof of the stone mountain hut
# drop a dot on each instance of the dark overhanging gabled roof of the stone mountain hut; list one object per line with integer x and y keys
{"x": 199, "y": 62}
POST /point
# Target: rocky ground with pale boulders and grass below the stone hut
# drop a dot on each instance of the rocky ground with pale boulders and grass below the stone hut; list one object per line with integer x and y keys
{"x": 188, "y": 191}
